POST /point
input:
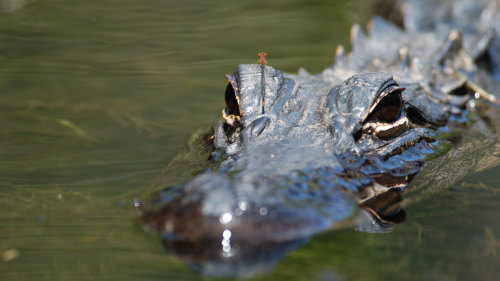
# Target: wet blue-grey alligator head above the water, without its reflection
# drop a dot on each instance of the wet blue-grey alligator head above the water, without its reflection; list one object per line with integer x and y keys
{"x": 293, "y": 170}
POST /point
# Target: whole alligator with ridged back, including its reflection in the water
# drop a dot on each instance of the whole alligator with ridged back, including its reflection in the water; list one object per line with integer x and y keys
{"x": 299, "y": 153}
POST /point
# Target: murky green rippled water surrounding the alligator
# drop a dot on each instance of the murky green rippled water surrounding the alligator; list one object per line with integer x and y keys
{"x": 97, "y": 97}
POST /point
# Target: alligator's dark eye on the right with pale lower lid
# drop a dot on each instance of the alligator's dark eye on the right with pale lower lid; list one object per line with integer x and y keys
{"x": 387, "y": 118}
